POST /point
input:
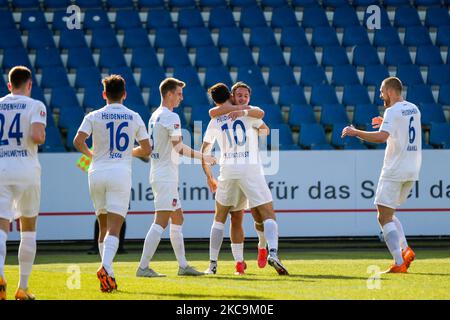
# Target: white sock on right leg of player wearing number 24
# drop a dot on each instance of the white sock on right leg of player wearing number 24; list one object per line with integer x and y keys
{"x": 27, "y": 253}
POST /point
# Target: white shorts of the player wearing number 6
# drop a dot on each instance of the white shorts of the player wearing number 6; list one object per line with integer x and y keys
{"x": 392, "y": 194}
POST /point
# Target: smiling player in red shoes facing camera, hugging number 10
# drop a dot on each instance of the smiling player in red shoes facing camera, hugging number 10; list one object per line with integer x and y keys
{"x": 240, "y": 95}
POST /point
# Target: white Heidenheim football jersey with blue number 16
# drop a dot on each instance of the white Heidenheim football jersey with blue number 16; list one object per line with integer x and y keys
{"x": 114, "y": 129}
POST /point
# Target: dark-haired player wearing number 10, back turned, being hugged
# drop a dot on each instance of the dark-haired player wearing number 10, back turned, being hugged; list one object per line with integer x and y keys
{"x": 241, "y": 170}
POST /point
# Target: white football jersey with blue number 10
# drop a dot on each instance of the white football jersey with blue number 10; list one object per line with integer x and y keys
{"x": 238, "y": 143}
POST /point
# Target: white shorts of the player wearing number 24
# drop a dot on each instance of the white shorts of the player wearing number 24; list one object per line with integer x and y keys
{"x": 19, "y": 201}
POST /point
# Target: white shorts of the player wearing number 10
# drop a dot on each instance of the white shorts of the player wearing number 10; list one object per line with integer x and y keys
{"x": 254, "y": 188}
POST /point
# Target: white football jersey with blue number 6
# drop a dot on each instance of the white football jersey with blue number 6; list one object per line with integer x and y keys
{"x": 403, "y": 155}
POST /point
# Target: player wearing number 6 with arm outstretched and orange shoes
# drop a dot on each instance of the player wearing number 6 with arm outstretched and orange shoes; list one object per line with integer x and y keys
{"x": 401, "y": 129}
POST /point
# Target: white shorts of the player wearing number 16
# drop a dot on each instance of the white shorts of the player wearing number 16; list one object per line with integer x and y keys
{"x": 110, "y": 191}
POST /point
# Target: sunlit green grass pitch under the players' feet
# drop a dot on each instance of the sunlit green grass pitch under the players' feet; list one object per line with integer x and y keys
{"x": 318, "y": 274}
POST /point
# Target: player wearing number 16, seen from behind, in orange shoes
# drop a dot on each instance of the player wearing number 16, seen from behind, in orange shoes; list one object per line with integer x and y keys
{"x": 114, "y": 129}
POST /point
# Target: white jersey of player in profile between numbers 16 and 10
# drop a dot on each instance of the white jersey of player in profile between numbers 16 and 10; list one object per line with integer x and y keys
{"x": 164, "y": 125}
